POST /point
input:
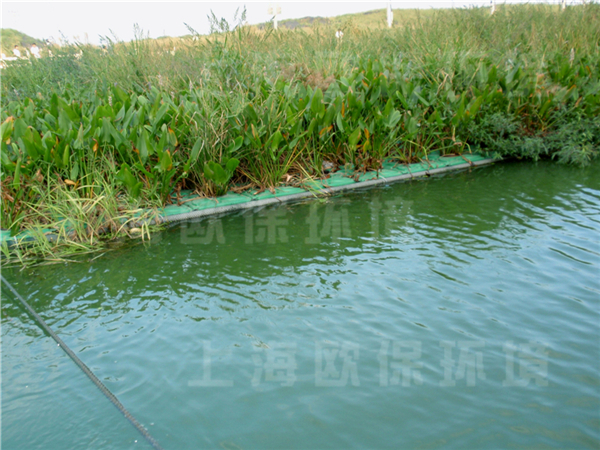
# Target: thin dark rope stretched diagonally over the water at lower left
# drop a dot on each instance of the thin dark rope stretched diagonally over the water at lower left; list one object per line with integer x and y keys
{"x": 85, "y": 369}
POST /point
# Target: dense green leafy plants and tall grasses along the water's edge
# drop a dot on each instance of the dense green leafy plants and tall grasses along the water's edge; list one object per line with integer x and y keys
{"x": 92, "y": 137}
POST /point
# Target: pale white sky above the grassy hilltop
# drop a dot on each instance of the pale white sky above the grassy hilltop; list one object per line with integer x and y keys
{"x": 89, "y": 22}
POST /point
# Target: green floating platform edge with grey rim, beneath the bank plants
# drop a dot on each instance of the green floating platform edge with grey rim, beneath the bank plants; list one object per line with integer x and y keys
{"x": 192, "y": 207}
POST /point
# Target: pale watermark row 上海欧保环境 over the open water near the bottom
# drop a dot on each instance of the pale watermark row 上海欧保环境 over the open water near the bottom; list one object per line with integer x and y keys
{"x": 401, "y": 363}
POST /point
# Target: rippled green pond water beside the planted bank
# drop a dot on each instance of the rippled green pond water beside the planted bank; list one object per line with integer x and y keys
{"x": 452, "y": 312}
